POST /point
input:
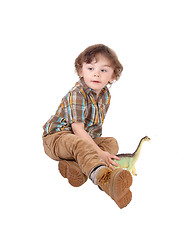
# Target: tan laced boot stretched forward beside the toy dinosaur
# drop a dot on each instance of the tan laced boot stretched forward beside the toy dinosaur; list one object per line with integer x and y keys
{"x": 116, "y": 184}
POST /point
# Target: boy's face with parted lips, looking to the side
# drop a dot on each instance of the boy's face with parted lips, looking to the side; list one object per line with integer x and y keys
{"x": 98, "y": 73}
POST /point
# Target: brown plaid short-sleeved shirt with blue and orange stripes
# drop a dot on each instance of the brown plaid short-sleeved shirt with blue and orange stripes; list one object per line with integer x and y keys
{"x": 80, "y": 105}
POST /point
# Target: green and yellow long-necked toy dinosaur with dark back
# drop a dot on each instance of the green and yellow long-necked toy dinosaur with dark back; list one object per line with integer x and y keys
{"x": 128, "y": 160}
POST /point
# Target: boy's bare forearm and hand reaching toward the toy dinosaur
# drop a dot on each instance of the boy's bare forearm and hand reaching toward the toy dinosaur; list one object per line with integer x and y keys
{"x": 78, "y": 129}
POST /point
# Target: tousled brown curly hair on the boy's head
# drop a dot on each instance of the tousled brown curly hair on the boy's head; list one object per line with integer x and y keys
{"x": 89, "y": 54}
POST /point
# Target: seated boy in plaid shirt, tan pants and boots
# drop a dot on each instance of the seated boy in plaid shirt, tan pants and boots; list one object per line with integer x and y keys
{"x": 74, "y": 132}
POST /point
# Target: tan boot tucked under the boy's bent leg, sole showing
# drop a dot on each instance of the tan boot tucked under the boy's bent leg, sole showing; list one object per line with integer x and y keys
{"x": 71, "y": 170}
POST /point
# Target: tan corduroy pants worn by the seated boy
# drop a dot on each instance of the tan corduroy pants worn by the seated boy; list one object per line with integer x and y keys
{"x": 66, "y": 145}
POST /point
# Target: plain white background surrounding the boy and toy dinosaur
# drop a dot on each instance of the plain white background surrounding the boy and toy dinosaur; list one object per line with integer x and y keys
{"x": 38, "y": 45}
